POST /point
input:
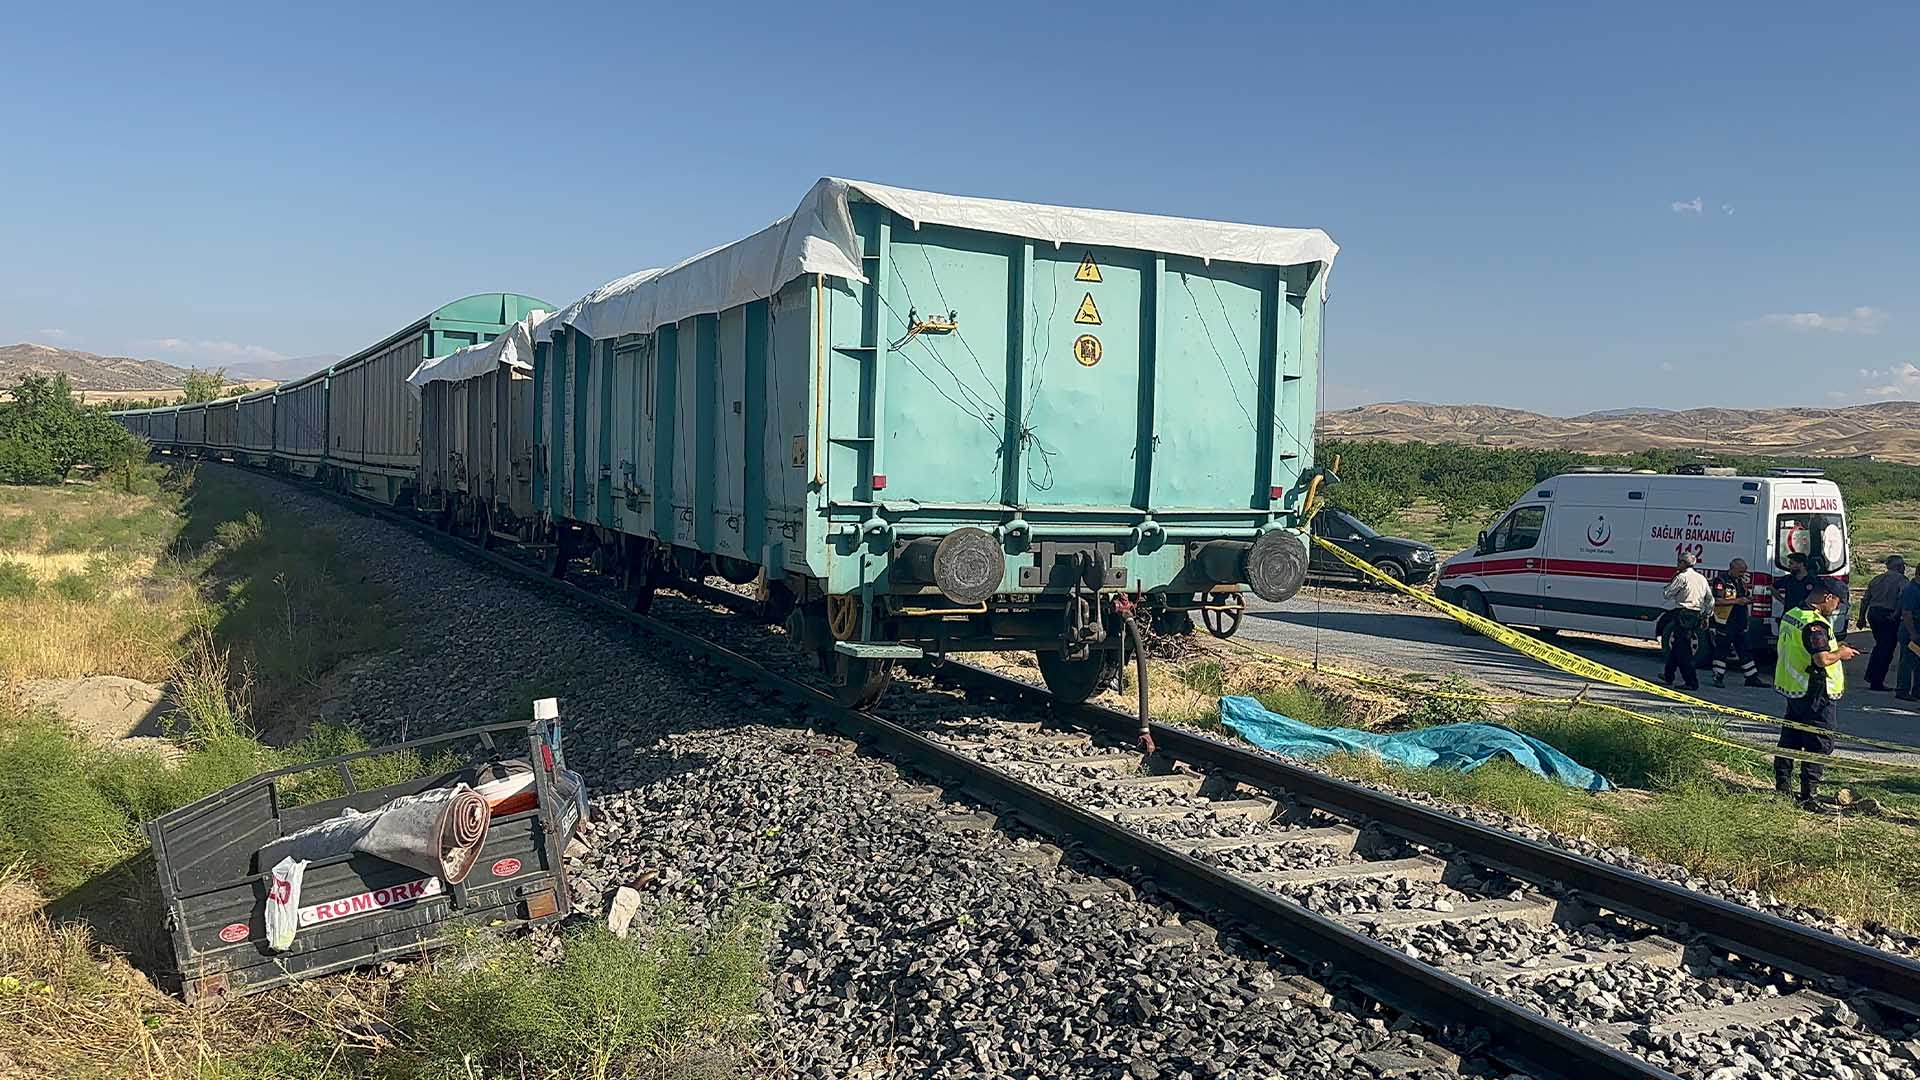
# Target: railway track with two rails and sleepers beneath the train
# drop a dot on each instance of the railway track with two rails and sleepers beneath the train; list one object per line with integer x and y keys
{"x": 1547, "y": 962}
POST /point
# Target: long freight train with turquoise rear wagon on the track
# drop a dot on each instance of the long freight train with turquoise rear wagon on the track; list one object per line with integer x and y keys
{"x": 915, "y": 424}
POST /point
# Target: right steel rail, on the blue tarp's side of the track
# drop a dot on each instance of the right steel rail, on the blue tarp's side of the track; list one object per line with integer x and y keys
{"x": 1888, "y": 979}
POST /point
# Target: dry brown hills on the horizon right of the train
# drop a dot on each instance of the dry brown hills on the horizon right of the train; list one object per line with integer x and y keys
{"x": 1888, "y": 431}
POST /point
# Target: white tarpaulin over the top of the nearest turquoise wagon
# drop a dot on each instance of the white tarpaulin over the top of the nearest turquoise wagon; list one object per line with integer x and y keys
{"x": 819, "y": 237}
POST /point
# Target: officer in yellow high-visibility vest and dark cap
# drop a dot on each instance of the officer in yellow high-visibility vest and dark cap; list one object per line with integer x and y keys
{"x": 1812, "y": 675}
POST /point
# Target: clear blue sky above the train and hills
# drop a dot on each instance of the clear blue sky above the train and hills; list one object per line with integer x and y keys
{"x": 1514, "y": 187}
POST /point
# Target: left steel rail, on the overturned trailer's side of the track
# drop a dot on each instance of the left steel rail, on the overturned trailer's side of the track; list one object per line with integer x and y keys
{"x": 1516, "y": 1037}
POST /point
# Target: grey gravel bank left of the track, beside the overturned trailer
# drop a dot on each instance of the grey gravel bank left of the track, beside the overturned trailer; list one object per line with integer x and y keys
{"x": 915, "y": 937}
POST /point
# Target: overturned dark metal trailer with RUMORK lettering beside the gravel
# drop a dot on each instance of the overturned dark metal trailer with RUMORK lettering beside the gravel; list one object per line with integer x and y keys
{"x": 358, "y": 906}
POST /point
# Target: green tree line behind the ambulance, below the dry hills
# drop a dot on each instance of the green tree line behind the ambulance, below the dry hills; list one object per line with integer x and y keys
{"x": 1470, "y": 483}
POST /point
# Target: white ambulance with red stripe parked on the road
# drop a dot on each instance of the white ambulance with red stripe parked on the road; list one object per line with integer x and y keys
{"x": 1595, "y": 551}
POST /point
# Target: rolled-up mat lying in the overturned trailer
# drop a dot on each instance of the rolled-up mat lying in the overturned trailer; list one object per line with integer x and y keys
{"x": 439, "y": 833}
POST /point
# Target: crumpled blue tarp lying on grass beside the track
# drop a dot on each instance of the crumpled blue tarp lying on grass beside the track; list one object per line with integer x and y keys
{"x": 1447, "y": 747}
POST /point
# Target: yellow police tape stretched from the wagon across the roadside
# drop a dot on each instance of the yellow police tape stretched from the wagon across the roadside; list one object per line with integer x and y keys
{"x": 1602, "y": 674}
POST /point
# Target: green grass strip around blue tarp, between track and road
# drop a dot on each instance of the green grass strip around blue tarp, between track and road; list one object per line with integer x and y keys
{"x": 1691, "y": 802}
